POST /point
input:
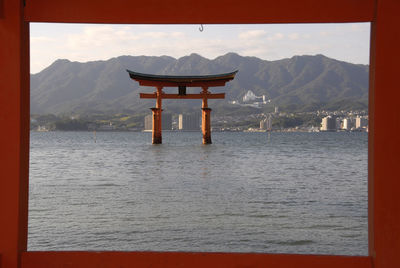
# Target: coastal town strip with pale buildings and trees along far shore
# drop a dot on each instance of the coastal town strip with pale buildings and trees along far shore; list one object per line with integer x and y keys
{"x": 280, "y": 121}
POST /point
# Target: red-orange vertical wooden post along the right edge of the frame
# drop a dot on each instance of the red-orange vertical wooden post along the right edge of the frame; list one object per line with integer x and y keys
{"x": 383, "y": 141}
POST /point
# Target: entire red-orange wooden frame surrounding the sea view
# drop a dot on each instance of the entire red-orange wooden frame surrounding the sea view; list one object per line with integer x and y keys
{"x": 384, "y": 145}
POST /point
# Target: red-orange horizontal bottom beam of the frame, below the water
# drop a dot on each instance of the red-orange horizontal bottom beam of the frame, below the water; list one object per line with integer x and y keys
{"x": 186, "y": 259}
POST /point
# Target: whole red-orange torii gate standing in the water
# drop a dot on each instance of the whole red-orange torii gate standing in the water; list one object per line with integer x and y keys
{"x": 182, "y": 82}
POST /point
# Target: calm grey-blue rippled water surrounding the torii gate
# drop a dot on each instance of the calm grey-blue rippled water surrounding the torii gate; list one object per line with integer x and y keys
{"x": 247, "y": 192}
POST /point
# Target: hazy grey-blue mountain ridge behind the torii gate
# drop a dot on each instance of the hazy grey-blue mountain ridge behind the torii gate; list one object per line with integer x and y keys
{"x": 67, "y": 87}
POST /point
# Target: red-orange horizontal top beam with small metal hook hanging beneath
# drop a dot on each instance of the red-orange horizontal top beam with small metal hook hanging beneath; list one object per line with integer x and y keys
{"x": 206, "y": 11}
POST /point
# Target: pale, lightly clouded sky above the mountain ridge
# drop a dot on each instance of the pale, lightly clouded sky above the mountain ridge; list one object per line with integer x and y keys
{"x": 89, "y": 42}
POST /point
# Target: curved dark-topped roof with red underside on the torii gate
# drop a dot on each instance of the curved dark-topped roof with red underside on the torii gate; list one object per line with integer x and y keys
{"x": 182, "y": 80}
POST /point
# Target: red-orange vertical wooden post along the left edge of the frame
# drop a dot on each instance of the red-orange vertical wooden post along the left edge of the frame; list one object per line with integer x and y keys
{"x": 14, "y": 137}
